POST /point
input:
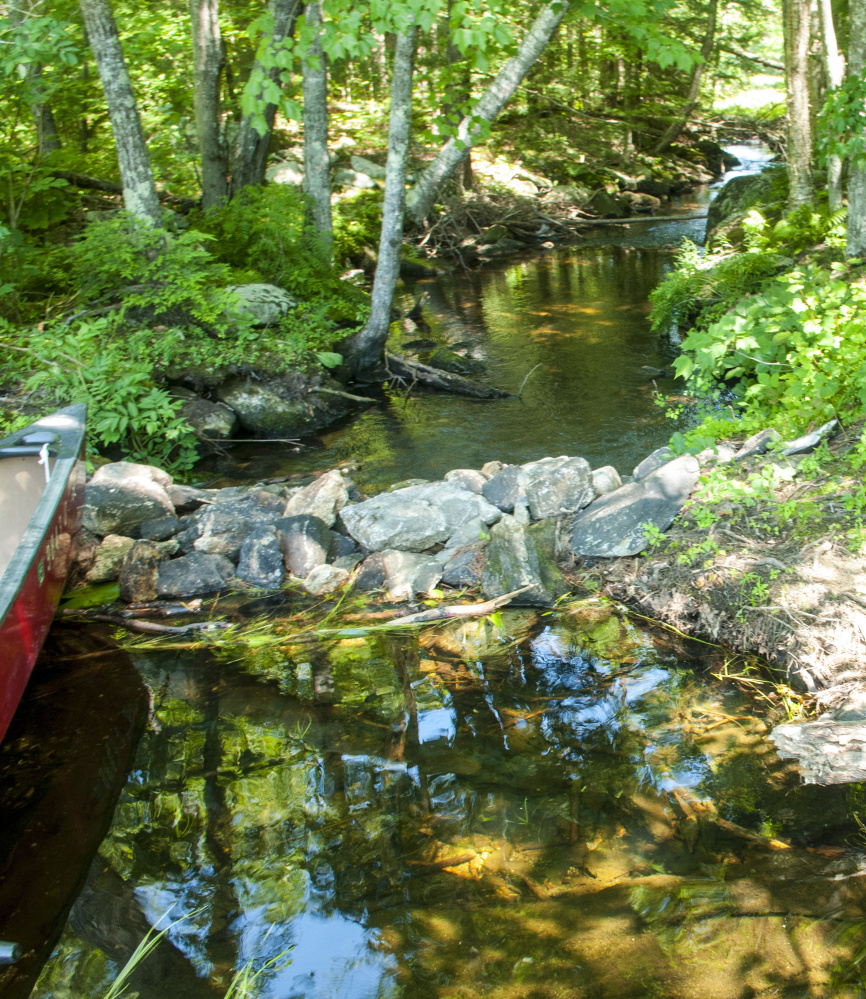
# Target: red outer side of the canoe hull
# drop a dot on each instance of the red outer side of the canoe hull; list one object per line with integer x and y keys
{"x": 25, "y": 625}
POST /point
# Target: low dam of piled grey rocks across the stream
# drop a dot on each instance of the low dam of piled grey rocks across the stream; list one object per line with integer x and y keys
{"x": 501, "y": 528}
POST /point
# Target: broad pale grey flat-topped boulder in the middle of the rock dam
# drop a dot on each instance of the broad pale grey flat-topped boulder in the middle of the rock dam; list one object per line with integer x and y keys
{"x": 416, "y": 518}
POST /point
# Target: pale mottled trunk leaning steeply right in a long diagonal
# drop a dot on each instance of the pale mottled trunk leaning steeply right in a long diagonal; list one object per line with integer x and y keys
{"x": 492, "y": 102}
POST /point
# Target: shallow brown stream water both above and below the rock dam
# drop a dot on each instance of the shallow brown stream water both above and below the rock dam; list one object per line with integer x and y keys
{"x": 531, "y": 806}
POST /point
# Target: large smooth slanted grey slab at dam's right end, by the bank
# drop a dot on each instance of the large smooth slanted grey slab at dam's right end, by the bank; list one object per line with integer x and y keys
{"x": 614, "y": 525}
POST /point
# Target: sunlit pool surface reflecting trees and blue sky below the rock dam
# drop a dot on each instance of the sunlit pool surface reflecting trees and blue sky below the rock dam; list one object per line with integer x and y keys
{"x": 544, "y": 807}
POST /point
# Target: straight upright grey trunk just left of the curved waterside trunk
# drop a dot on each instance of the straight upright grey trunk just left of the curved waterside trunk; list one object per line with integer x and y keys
{"x": 317, "y": 167}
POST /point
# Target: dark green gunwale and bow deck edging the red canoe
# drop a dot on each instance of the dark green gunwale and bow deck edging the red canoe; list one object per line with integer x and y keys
{"x": 67, "y": 428}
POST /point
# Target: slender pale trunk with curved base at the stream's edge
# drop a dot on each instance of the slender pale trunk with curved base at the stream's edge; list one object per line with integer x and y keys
{"x": 367, "y": 346}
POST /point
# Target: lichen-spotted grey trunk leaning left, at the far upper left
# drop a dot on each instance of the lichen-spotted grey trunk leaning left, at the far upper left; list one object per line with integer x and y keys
{"x": 139, "y": 189}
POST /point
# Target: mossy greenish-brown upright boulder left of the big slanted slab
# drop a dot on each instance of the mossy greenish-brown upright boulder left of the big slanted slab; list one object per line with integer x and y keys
{"x": 519, "y": 555}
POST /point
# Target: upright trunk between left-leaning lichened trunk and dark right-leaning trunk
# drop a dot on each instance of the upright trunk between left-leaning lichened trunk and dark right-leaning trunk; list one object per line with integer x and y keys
{"x": 208, "y": 60}
